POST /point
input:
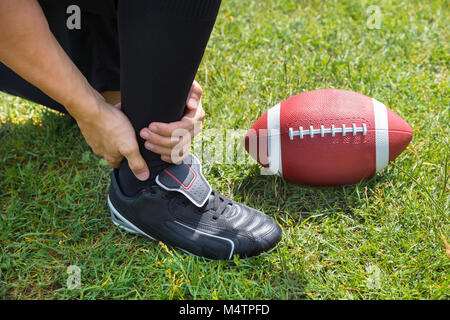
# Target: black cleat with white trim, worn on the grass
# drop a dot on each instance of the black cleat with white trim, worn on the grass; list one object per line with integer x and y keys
{"x": 183, "y": 211}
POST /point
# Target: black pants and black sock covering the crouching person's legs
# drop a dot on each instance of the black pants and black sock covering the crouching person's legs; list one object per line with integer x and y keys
{"x": 160, "y": 44}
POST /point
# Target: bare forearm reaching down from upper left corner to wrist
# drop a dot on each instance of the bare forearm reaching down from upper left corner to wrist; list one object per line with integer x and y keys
{"x": 28, "y": 47}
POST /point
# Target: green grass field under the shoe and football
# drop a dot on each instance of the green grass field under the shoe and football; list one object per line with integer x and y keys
{"x": 380, "y": 239}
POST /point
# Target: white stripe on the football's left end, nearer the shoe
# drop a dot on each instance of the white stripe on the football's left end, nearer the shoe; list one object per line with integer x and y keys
{"x": 274, "y": 140}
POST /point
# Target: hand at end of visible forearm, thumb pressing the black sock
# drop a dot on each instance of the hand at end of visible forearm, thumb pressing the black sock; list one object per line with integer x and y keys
{"x": 111, "y": 136}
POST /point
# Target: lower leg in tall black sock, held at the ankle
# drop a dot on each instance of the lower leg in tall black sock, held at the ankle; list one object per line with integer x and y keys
{"x": 161, "y": 45}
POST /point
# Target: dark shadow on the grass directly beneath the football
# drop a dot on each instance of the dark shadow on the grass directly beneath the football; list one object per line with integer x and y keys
{"x": 285, "y": 200}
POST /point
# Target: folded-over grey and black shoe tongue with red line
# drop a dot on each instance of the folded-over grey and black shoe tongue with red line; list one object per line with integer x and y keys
{"x": 186, "y": 178}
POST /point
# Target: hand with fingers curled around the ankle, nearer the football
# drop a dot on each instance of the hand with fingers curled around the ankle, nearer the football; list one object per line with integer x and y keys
{"x": 173, "y": 140}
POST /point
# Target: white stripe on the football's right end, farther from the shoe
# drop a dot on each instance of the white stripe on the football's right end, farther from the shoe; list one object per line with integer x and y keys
{"x": 381, "y": 134}
